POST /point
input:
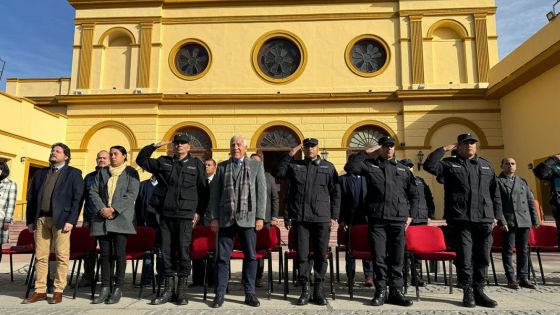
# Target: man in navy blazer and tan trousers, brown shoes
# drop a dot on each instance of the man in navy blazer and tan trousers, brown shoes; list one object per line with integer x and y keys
{"x": 54, "y": 202}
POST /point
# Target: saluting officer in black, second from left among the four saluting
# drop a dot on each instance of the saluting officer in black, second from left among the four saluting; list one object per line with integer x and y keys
{"x": 313, "y": 206}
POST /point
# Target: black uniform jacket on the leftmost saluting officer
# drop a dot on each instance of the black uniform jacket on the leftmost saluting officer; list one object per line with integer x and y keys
{"x": 182, "y": 185}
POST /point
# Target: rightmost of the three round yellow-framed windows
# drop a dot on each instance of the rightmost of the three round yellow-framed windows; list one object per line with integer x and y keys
{"x": 367, "y": 55}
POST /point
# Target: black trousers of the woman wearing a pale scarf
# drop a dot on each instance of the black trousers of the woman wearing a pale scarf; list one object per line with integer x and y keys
{"x": 116, "y": 243}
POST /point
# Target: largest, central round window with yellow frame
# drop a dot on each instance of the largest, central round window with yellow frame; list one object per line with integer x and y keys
{"x": 279, "y": 57}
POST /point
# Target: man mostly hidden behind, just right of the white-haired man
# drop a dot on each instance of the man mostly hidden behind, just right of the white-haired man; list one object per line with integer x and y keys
{"x": 271, "y": 214}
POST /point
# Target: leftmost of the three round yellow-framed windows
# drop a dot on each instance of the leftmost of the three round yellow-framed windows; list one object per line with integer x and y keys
{"x": 190, "y": 59}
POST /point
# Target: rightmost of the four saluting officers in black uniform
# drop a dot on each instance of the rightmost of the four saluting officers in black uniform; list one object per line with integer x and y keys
{"x": 472, "y": 207}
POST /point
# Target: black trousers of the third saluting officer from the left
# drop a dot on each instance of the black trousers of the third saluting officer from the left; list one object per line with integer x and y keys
{"x": 386, "y": 239}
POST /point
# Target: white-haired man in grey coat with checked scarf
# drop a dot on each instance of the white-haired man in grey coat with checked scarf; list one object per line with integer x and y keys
{"x": 237, "y": 203}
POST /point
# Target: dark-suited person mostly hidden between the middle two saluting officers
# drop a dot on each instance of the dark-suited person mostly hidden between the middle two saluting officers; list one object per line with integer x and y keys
{"x": 353, "y": 190}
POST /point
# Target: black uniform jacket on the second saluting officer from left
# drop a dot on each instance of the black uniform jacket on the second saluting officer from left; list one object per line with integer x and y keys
{"x": 314, "y": 194}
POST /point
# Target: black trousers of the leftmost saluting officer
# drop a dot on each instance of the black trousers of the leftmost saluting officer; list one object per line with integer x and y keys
{"x": 176, "y": 236}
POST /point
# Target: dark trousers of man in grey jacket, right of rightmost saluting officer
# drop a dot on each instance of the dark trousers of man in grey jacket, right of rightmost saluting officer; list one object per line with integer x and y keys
{"x": 518, "y": 237}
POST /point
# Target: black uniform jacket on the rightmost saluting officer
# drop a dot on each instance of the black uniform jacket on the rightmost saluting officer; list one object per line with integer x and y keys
{"x": 468, "y": 197}
